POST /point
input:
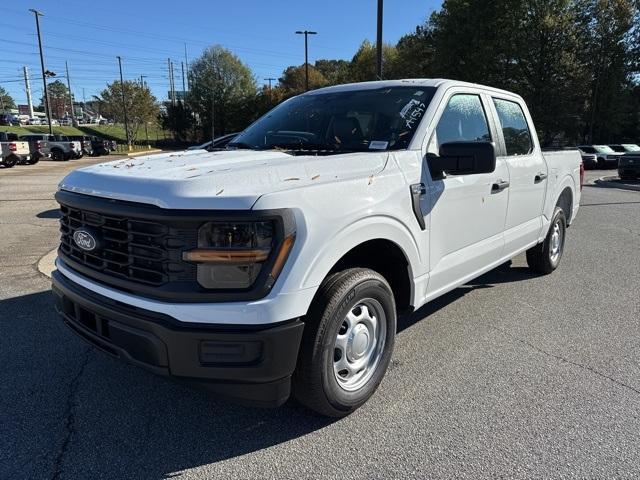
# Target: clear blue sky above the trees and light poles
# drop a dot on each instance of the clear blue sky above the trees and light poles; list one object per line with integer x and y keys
{"x": 89, "y": 35}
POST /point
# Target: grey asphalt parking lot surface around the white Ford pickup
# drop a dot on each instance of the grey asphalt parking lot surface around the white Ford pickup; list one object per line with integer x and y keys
{"x": 513, "y": 375}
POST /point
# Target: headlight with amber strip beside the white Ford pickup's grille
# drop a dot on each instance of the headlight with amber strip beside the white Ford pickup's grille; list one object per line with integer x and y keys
{"x": 232, "y": 255}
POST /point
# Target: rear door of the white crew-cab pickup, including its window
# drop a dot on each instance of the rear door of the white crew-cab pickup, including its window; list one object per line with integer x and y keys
{"x": 527, "y": 173}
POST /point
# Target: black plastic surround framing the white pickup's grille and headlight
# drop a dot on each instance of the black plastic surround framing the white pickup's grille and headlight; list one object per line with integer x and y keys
{"x": 180, "y": 291}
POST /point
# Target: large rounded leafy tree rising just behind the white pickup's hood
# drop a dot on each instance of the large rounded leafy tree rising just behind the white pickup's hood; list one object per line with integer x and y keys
{"x": 221, "y": 88}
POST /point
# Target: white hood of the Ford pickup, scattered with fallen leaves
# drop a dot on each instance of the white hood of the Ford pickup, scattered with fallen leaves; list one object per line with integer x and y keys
{"x": 226, "y": 180}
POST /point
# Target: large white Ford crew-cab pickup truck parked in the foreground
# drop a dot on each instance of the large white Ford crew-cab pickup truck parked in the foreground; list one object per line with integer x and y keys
{"x": 279, "y": 266}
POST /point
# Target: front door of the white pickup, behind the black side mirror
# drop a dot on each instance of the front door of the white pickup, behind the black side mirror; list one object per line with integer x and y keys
{"x": 467, "y": 212}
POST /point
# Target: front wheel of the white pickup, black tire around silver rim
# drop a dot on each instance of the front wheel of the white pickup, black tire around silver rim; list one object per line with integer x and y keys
{"x": 315, "y": 381}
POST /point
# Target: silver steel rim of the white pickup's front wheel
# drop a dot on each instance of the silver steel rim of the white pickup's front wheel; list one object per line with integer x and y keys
{"x": 359, "y": 344}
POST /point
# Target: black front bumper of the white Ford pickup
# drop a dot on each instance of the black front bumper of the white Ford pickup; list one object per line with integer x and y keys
{"x": 249, "y": 365}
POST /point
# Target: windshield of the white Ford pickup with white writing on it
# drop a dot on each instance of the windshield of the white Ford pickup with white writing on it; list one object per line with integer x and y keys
{"x": 338, "y": 122}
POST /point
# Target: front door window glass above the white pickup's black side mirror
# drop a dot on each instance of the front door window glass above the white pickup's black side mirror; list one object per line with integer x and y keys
{"x": 463, "y": 120}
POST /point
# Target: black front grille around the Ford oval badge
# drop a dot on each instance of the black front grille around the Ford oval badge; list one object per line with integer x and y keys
{"x": 129, "y": 249}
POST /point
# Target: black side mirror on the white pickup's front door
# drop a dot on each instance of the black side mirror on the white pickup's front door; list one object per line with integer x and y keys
{"x": 463, "y": 158}
